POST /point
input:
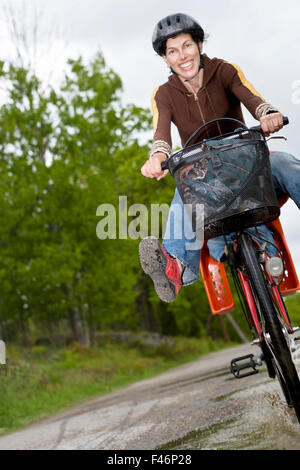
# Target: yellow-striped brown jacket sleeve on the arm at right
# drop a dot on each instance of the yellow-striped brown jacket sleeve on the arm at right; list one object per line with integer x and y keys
{"x": 245, "y": 92}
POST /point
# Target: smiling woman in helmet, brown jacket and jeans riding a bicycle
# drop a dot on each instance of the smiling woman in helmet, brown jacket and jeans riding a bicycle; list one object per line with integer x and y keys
{"x": 199, "y": 90}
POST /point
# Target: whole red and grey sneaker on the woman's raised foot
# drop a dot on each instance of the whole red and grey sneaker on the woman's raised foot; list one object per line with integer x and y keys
{"x": 161, "y": 267}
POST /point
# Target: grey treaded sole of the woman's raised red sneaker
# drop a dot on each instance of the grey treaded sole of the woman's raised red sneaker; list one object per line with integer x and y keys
{"x": 154, "y": 265}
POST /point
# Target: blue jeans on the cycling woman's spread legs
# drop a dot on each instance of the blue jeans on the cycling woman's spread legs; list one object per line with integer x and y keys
{"x": 180, "y": 241}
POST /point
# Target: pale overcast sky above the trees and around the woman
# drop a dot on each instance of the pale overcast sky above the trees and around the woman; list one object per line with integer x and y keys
{"x": 261, "y": 36}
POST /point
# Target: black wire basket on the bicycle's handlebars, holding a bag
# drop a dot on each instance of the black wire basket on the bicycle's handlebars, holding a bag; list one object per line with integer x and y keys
{"x": 226, "y": 182}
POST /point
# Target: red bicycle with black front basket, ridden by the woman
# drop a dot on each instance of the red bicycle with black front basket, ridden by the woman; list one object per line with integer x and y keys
{"x": 257, "y": 277}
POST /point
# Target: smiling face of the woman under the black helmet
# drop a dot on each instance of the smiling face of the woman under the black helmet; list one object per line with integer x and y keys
{"x": 182, "y": 55}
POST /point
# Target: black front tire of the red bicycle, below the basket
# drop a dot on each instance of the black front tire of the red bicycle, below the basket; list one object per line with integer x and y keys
{"x": 272, "y": 327}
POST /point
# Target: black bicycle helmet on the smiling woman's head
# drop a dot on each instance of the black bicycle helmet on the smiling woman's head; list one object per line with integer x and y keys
{"x": 172, "y": 25}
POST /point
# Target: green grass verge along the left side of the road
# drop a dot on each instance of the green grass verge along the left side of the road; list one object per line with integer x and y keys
{"x": 39, "y": 381}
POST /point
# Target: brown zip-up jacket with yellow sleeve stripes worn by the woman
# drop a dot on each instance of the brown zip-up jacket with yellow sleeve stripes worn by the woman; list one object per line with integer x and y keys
{"x": 224, "y": 89}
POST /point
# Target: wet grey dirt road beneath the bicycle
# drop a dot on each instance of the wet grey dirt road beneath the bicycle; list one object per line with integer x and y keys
{"x": 196, "y": 406}
